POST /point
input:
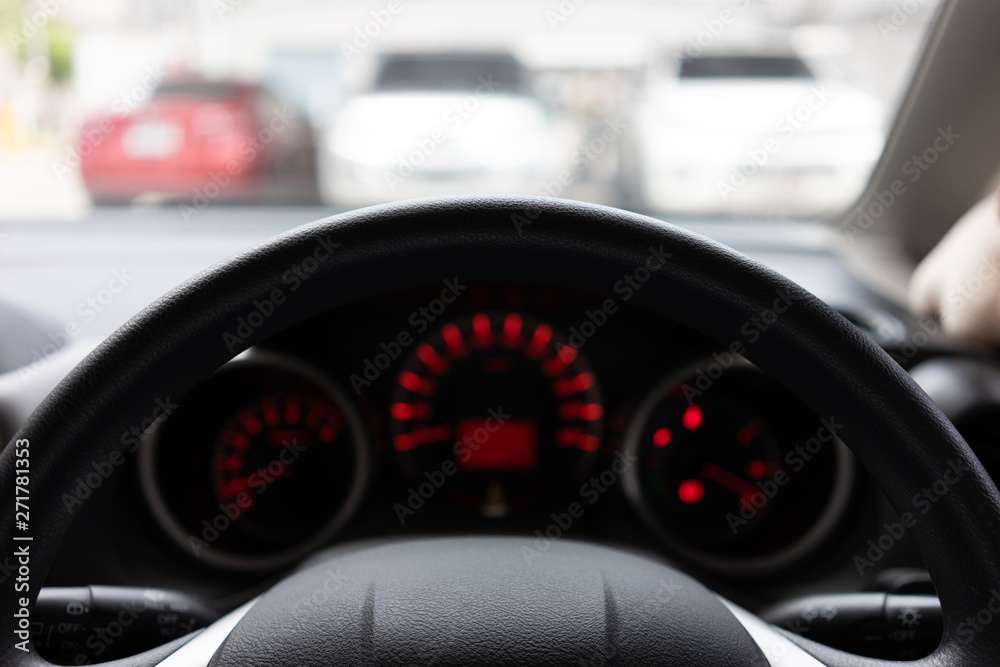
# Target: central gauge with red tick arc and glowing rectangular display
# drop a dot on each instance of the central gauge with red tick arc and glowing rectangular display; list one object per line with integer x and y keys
{"x": 502, "y": 405}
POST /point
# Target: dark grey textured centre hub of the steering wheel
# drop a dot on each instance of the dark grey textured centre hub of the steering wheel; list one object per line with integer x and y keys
{"x": 488, "y": 601}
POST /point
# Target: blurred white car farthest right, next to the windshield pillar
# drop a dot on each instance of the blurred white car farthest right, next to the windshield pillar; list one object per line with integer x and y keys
{"x": 754, "y": 135}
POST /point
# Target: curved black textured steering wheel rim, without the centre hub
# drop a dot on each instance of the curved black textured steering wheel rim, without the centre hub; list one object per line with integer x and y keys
{"x": 891, "y": 425}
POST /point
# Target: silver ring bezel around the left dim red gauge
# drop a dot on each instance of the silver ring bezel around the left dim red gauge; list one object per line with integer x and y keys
{"x": 230, "y": 560}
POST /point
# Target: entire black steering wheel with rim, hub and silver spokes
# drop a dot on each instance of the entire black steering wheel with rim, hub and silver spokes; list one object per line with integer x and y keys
{"x": 477, "y": 600}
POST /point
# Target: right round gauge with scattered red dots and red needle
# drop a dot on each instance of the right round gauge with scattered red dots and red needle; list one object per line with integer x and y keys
{"x": 734, "y": 471}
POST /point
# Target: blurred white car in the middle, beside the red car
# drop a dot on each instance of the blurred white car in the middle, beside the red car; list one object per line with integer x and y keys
{"x": 438, "y": 124}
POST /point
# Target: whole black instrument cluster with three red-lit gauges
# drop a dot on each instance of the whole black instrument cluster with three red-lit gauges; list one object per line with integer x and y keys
{"x": 501, "y": 407}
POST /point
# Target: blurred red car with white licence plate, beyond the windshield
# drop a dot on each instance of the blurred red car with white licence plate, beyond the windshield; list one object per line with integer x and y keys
{"x": 201, "y": 142}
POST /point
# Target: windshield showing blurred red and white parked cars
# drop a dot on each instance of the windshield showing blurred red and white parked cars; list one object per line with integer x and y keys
{"x": 712, "y": 109}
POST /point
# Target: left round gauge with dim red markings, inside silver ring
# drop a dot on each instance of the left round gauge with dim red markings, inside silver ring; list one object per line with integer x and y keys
{"x": 263, "y": 462}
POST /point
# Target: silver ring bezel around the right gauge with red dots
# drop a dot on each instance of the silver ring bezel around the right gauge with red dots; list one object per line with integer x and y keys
{"x": 794, "y": 552}
